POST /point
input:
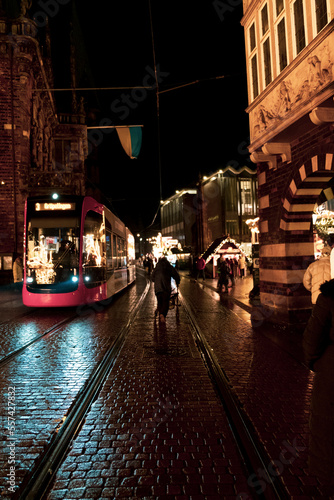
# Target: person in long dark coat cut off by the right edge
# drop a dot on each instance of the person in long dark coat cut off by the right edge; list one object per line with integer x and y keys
{"x": 318, "y": 344}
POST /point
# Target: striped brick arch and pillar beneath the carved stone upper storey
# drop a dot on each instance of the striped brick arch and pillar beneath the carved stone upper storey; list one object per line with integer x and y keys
{"x": 286, "y": 231}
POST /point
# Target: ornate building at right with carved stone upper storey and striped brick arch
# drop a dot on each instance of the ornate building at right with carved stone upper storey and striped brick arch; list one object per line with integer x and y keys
{"x": 290, "y": 55}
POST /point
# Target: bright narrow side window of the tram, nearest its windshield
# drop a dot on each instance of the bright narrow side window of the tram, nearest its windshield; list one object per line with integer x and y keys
{"x": 93, "y": 248}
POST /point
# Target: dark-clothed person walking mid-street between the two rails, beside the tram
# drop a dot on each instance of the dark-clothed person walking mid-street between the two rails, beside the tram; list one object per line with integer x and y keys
{"x": 161, "y": 276}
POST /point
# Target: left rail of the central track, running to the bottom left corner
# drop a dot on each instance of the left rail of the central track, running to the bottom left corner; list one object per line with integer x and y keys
{"x": 44, "y": 471}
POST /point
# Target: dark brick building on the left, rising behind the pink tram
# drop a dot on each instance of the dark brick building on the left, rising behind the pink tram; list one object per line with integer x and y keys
{"x": 40, "y": 150}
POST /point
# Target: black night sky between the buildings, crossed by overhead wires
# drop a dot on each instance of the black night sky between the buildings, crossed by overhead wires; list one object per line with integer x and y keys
{"x": 203, "y": 127}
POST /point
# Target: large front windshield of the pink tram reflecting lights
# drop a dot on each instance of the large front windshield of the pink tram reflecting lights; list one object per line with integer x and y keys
{"x": 52, "y": 250}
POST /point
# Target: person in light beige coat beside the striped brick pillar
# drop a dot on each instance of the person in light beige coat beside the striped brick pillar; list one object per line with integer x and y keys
{"x": 317, "y": 273}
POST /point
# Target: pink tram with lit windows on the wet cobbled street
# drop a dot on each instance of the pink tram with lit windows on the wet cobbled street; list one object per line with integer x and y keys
{"x": 76, "y": 252}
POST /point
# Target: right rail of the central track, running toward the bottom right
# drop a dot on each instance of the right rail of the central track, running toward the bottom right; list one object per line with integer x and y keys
{"x": 250, "y": 448}
